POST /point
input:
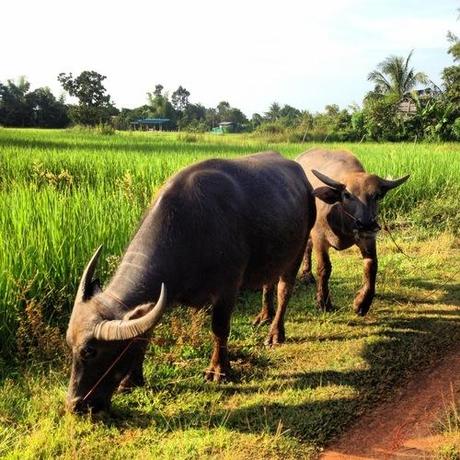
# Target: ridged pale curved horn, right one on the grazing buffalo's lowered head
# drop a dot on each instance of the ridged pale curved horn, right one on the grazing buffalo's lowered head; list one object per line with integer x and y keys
{"x": 120, "y": 329}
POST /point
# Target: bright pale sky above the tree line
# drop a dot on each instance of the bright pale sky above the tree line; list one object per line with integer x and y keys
{"x": 250, "y": 53}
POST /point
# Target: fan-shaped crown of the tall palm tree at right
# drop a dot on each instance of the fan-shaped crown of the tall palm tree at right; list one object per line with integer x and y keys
{"x": 394, "y": 76}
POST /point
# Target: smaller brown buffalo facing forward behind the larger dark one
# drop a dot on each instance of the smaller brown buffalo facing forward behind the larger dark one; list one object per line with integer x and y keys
{"x": 346, "y": 215}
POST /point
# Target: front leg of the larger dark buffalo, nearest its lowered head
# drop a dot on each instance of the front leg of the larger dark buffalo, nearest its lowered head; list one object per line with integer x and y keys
{"x": 219, "y": 367}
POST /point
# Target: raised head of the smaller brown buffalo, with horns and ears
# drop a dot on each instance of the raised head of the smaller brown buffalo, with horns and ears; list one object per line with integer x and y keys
{"x": 359, "y": 196}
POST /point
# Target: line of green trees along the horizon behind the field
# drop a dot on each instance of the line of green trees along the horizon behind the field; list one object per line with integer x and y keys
{"x": 392, "y": 111}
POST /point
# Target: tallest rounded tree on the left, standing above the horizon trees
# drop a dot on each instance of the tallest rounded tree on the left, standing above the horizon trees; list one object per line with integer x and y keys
{"x": 94, "y": 104}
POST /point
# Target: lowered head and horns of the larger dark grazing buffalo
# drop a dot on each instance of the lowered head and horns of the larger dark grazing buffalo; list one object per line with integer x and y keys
{"x": 103, "y": 342}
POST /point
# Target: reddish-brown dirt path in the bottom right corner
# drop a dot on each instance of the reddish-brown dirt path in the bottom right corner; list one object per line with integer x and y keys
{"x": 403, "y": 427}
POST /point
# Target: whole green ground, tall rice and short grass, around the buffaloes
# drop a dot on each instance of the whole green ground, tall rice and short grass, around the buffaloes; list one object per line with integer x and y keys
{"x": 63, "y": 193}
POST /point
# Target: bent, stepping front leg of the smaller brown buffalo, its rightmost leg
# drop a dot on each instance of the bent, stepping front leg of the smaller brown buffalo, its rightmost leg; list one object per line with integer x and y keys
{"x": 365, "y": 295}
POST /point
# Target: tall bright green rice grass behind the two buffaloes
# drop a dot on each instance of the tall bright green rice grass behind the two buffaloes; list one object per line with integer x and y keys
{"x": 62, "y": 193}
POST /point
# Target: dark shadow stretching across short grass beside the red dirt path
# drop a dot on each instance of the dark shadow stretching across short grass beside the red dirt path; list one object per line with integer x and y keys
{"x": 404, "y": 346}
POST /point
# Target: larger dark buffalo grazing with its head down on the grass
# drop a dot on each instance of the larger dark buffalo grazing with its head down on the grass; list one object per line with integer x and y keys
{"x": 215, "y": 227}
